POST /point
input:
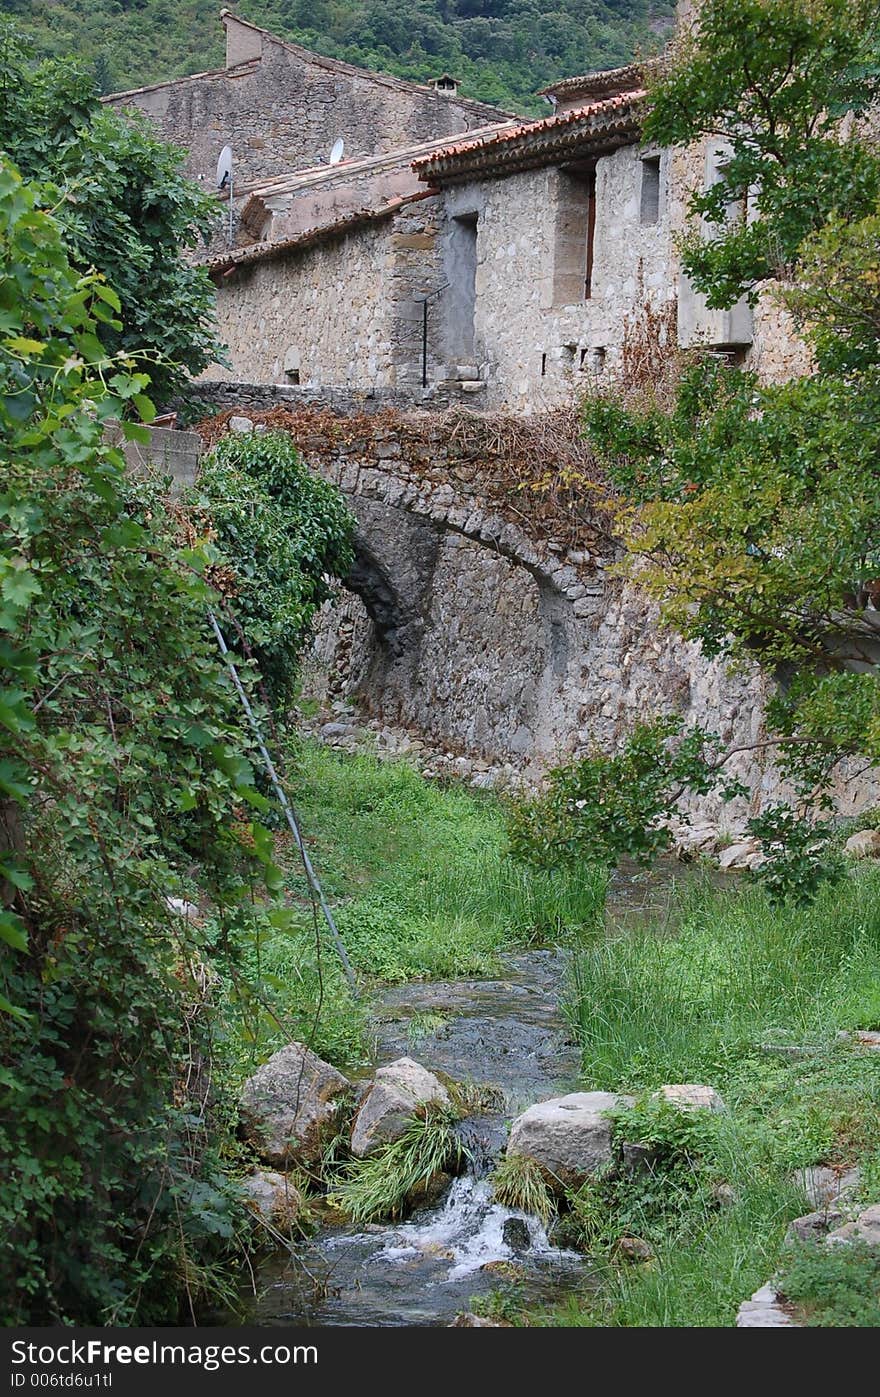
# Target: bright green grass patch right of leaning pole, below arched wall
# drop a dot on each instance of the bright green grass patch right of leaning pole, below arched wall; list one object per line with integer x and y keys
{"x": 423, "y": 878}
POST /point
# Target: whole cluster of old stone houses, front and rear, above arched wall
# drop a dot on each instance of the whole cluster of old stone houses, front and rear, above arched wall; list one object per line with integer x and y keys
{"x": 455, "y": 252}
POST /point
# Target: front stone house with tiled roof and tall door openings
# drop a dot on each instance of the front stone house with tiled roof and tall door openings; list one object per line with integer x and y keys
{"x": 509, "y": 268}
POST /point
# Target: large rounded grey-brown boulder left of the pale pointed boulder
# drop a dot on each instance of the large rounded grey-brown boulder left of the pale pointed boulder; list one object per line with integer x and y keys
{"x": 291, "y": 1107}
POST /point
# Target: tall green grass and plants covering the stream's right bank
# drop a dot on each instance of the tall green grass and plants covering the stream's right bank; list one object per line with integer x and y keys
{"x": 748, "y": 1000}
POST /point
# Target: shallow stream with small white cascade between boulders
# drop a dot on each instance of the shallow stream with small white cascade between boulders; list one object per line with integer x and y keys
{"x": 509, "y": 1034}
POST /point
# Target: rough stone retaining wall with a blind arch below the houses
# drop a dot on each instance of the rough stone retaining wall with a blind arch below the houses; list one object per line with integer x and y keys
{"x": 491, "y": 641}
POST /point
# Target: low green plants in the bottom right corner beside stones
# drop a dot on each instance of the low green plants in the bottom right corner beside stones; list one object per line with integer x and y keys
{"x": 835, "y": 1287}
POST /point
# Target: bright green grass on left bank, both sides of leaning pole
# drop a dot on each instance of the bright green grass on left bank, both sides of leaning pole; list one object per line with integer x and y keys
{"x": 421, "y": 889}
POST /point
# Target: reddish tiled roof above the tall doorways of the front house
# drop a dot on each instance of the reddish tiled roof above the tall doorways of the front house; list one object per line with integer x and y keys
{"x": 592, "y": 128}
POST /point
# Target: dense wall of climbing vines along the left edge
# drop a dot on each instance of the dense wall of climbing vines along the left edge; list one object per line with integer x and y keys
{"x": 125, "y": 777}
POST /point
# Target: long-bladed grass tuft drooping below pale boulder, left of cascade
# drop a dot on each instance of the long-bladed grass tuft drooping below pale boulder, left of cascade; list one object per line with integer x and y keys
{"x": 381, "y": 1185}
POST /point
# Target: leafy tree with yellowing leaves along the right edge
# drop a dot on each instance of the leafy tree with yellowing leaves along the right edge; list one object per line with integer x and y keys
{"x": 749, "y": 512}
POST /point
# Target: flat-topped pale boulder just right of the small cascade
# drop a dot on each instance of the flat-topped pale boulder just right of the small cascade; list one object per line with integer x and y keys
{"x": 569, "y": 1138}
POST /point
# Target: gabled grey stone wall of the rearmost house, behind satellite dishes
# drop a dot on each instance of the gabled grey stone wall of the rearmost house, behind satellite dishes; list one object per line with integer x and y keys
{"x": 281, "y": 108}
